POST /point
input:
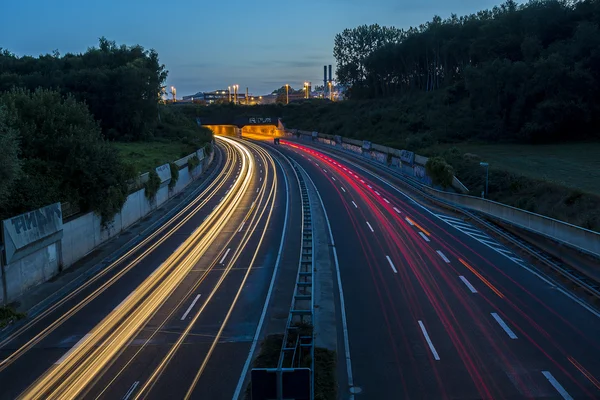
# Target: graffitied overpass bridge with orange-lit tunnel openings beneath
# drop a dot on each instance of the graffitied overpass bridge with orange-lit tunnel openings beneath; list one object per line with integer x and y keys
{"x": 239, "y": 126}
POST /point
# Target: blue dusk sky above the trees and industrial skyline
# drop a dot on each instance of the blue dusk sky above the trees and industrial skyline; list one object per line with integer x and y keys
{"x": 210, "y": 45}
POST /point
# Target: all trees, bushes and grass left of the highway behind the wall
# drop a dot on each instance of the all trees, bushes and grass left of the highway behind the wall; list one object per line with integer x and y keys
{"x": 76, "y": 128}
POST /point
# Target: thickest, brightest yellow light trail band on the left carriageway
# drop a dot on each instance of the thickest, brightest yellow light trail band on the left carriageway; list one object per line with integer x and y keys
{"x": 67, "y": 379}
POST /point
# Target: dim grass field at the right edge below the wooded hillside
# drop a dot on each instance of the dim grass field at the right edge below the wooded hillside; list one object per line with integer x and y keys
{"x": 572, "y": 165}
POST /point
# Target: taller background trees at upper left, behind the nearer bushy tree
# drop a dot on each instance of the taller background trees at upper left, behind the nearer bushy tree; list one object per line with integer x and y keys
{"x": 120, "y": 84}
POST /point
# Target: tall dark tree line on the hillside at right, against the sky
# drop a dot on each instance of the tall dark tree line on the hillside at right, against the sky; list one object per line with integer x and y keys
{"x": 528, "y": 72}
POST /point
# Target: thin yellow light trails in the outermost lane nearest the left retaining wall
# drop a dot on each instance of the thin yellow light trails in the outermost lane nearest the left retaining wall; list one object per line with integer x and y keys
{"x": 218, "y": 183}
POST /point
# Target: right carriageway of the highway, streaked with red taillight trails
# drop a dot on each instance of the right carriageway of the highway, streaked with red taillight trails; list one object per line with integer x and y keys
{"x": 436, "y": 308}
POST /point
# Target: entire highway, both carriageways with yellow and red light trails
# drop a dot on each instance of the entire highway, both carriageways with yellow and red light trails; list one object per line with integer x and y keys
{"x": 428, "y": 306}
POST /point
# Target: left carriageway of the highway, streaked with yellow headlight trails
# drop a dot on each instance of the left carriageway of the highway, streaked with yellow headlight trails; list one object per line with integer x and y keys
{"x": 176, "y": 310}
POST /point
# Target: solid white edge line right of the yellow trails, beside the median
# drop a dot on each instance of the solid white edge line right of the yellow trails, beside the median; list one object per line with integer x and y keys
{"x": 241, "y": 380}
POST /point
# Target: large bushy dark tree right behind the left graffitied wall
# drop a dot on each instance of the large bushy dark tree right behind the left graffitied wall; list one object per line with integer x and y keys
{"x": 63, "y": 155}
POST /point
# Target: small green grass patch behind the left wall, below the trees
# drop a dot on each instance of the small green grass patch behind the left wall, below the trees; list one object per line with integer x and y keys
{"x": 145, "y": 156}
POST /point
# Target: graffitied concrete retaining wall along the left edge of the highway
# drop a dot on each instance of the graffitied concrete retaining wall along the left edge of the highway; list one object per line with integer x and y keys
{"x": 83, "y": 234}
